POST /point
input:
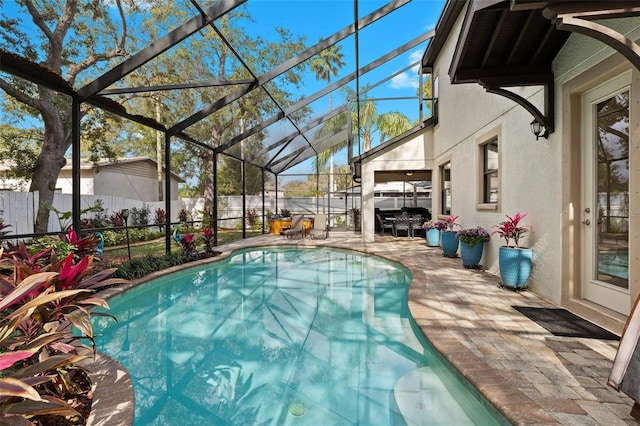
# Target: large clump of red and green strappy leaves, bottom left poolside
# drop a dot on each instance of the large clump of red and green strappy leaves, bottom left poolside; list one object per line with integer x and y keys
{"x": 41, "y": 299}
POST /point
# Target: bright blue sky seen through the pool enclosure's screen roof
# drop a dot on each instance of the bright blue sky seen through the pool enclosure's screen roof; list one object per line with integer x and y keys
{"x": 315, "y": 19}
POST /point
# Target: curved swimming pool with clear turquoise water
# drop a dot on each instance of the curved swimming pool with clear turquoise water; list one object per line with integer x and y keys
{"x": 284, "y": 336}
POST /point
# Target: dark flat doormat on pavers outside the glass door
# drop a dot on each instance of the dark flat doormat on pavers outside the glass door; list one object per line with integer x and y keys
{"x": 561, "y": 322}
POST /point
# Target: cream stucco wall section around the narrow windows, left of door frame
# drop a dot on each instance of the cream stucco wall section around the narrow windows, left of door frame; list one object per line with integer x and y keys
{"x": 529, "y": 170}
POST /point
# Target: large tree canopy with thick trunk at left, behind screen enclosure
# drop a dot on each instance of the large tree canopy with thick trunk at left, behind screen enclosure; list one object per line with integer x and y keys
{"x": 81, "y": 41}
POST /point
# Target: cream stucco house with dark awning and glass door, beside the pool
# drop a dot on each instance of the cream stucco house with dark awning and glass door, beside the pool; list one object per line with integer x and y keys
{"x": 498, "y": 65}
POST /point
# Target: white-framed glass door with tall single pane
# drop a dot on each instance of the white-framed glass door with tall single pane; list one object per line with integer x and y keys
{"x": 605, "y": 188}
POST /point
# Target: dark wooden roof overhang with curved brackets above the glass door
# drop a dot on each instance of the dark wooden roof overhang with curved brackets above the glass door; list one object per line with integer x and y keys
{"x": 512, "y": 43}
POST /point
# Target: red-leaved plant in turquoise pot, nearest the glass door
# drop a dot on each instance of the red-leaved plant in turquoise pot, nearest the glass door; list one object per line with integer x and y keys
{"x": 514, "y": 261}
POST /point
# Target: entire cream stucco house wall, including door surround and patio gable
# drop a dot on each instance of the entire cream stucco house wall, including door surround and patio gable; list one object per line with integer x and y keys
{"x": 537, "y": 177}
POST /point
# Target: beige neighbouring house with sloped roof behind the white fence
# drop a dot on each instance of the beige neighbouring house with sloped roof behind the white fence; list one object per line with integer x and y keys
{"x": 134, "y": 178}
